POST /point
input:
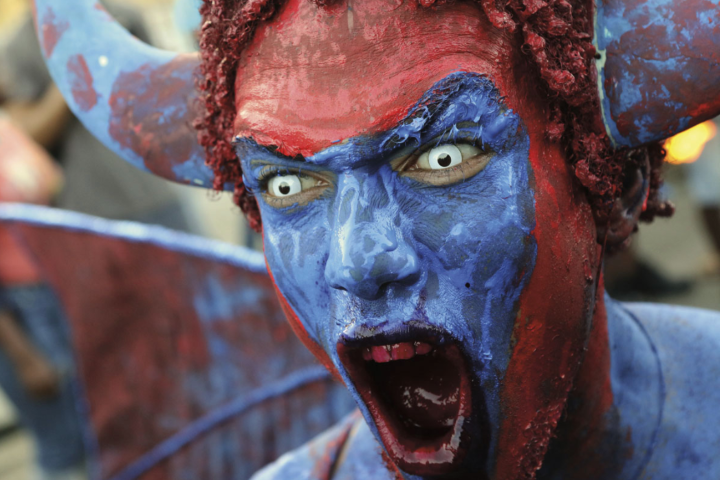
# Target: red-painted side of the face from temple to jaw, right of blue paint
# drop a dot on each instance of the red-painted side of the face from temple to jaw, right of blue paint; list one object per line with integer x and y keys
{"x": 552, "y": 324}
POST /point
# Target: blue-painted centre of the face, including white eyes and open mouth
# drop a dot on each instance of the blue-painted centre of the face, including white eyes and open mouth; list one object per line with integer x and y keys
{"x": 412, "y": 243}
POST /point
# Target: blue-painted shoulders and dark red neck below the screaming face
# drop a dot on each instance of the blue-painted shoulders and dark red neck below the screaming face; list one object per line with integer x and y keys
{"x": 656, "y": 422}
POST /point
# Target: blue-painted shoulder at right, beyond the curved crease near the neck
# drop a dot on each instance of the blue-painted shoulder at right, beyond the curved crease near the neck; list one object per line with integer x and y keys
{"x": 688, "y": 344}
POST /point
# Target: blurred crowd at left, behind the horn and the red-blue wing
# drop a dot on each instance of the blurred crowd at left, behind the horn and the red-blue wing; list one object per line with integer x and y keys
{"x": 47, "y": 157}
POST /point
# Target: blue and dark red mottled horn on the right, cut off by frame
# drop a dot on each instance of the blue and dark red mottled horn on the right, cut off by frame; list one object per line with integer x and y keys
{"x": 659, "y": 71}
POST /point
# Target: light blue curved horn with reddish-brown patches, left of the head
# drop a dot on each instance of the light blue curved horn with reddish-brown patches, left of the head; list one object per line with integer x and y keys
{"x": 137, "y": 100}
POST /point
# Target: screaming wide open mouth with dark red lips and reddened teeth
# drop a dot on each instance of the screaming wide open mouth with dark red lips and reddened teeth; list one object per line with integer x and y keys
{"x": 419, "y": 395}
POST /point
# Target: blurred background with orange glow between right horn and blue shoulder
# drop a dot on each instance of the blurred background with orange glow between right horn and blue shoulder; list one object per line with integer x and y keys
{"x": 692, "y": 182}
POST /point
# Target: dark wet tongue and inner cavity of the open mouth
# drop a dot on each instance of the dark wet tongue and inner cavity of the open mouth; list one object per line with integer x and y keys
{"x": 424, "y": 392}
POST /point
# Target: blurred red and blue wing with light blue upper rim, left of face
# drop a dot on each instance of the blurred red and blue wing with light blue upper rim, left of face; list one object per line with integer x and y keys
{"x": 186, "y": 363}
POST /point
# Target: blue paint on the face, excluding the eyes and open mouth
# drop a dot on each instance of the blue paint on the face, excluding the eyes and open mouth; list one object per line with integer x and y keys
{"x": 403, "y": 255}
